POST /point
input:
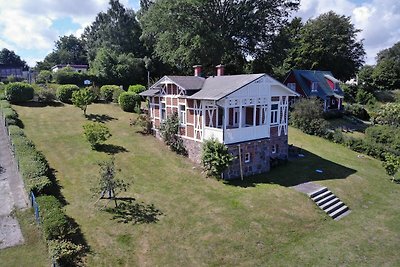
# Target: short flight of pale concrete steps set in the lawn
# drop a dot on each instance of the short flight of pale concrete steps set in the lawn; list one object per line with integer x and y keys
{"x": 329, "y": 203}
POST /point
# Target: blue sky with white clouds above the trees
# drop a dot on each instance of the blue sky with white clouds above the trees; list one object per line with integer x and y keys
{"x": 30, "y": 27}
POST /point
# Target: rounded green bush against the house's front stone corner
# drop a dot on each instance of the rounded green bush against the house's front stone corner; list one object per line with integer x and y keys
{"x": 215, "y": 157}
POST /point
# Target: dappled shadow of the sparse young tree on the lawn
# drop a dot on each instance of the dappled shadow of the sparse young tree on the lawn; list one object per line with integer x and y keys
{"x": 130, "y": 211}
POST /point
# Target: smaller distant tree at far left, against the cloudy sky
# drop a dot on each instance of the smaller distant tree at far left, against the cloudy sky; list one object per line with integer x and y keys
{"x": 68, "y": 50}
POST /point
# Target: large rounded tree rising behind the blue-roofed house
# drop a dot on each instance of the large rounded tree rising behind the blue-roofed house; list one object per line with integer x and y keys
{"x": 329, "y": 42}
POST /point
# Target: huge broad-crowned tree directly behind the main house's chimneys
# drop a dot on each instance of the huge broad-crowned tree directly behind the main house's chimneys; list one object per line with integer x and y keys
{"x": 210, "y": 32}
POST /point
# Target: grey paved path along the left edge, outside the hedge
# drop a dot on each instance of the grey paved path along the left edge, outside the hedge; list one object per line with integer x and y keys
{"x": 12, "y": 194}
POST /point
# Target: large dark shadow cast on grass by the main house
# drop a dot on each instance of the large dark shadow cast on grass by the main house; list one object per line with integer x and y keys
{"x": 296, "y": 171}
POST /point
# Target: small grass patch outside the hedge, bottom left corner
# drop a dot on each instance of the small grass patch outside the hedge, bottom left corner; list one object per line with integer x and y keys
{"x": 33, "y": 252}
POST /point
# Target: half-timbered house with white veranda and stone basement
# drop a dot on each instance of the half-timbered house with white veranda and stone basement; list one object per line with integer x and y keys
{"x": 248, "y": 113}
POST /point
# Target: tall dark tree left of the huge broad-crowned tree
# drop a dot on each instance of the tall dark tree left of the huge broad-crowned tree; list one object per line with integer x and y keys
{"x": 117, "y": 29}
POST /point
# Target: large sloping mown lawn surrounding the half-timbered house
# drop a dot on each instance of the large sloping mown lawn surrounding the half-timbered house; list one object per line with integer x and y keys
{"x": 259, "y": 222}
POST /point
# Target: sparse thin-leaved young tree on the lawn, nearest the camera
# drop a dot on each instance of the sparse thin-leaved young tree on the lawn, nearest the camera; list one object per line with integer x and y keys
{"x": 108, "y": 185}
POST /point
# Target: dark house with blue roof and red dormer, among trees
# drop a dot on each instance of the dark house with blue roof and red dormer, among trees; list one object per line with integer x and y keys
{"x": 316, "y": 83}
